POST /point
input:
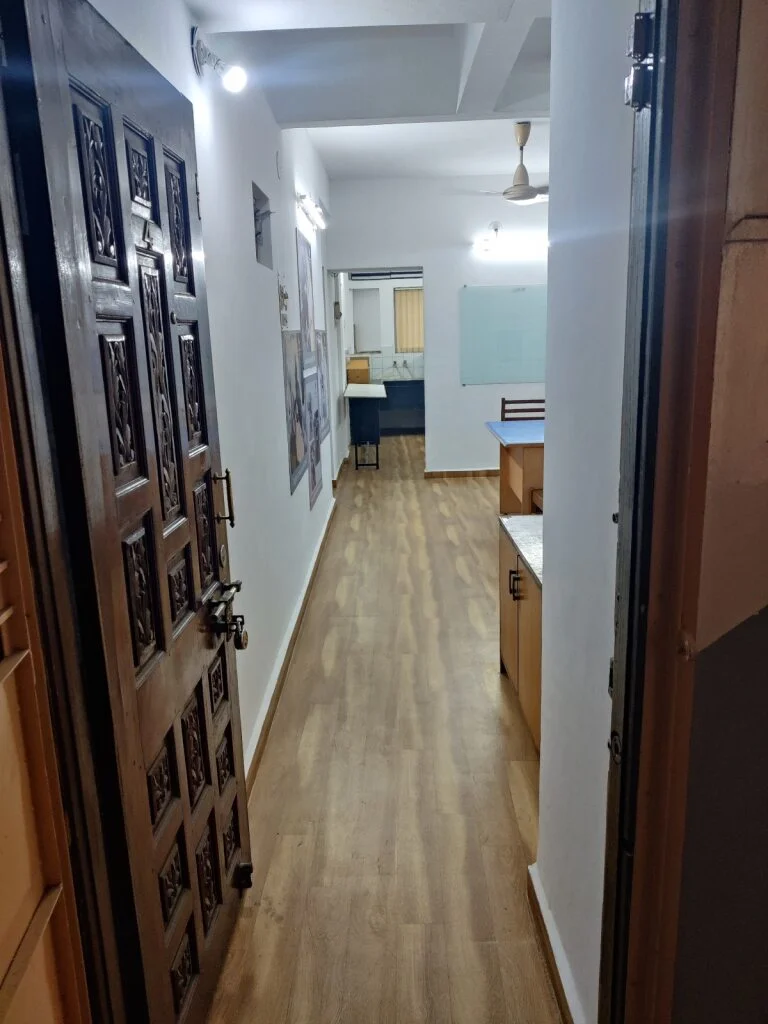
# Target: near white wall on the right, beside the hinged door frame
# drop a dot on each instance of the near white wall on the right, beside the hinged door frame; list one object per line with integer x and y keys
{"x": 589, "y": 221}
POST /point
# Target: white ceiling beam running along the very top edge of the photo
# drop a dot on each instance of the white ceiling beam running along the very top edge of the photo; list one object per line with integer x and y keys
{"x": 273, "y": 16}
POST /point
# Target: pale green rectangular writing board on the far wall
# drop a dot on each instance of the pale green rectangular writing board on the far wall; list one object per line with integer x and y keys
{"x": 503, "y": 335}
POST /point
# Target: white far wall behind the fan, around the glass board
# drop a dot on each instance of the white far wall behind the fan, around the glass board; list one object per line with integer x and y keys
{"x": 432, "y": 224}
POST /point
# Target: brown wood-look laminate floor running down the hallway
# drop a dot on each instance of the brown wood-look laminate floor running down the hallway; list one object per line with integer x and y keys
{"x": 395, "y": 810}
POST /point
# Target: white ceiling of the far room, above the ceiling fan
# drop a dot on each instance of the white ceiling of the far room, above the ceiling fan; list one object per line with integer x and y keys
{"x": 444, "y": 149}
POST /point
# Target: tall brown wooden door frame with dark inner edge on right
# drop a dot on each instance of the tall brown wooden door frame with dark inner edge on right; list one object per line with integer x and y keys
{"x": 672, "y": 324}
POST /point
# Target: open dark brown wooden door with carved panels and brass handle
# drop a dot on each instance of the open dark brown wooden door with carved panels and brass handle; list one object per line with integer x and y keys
{"x": 120, "y": 164}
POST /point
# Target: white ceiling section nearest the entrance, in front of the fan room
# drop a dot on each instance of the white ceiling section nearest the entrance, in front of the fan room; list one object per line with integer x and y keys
{"x": 366, "y": 62}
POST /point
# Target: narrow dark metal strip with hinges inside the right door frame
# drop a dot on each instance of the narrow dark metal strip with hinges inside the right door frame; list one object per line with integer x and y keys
{"x": 639, "y": 437}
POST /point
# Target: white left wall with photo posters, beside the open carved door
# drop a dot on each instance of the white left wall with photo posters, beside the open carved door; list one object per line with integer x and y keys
{"x": 275, "y": 544}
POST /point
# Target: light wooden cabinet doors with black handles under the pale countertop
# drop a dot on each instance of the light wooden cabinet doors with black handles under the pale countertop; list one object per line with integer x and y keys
{"x": 521, "y": 632}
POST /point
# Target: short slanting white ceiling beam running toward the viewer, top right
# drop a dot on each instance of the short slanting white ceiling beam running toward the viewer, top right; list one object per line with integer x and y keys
{"x": 495, "y": 56}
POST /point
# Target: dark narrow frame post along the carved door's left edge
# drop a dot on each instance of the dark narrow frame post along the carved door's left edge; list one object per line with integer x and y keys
{"x": 54, "y": 582}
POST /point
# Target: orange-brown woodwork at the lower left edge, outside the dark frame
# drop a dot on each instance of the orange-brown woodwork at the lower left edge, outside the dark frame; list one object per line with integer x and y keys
{"x": 37, "y": 854}
